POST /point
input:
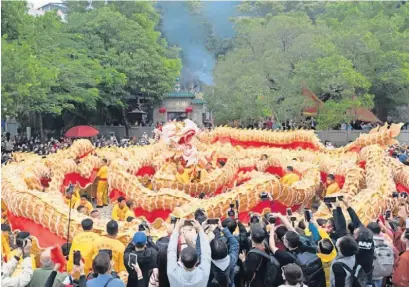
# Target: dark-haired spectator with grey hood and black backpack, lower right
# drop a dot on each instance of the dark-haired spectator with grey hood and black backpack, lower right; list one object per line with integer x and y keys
{"x": 343, "y": 265}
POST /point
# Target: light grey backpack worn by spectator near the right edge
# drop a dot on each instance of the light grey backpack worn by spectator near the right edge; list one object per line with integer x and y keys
{"x": 383, "y": 261}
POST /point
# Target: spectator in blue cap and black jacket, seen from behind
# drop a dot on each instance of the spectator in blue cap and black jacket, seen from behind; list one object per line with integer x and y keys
{"x": 146, "y": 259}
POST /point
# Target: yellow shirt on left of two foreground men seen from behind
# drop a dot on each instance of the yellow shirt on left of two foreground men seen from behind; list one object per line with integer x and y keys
{"x": 83, "y": 242}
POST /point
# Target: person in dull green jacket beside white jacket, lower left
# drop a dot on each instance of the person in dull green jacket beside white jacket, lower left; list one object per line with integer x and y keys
{"x": 41, "y": 275}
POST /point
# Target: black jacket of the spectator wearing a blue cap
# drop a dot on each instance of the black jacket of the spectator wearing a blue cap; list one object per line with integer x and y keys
{"x": 147, "y": 260}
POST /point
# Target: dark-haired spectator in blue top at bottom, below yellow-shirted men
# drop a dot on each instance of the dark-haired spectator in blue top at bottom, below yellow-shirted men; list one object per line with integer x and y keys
{"x": 103, "y": 267}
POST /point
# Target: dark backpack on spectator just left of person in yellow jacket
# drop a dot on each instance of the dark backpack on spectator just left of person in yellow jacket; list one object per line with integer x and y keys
{"x": 311, "y": 266}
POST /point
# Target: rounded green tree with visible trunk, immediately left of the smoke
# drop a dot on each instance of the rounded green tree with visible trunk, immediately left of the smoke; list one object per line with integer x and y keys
{"x": 132, "y": 49}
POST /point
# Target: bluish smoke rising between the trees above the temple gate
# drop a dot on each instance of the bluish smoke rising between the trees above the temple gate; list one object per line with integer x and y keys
{"x": 188, "y": 31}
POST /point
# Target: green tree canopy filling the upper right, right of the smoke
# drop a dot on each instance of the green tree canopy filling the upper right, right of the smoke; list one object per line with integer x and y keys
{"x": 349, "y": 54}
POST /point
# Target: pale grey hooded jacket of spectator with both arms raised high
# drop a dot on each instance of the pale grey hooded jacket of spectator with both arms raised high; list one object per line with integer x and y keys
{"x": 178, "y": 275}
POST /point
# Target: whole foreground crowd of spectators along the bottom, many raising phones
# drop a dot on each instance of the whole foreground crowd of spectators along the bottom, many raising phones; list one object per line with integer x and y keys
{"x": 271, "y": 250}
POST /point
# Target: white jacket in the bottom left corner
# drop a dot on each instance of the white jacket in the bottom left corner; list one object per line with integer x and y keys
{"x": 20, "y": 281}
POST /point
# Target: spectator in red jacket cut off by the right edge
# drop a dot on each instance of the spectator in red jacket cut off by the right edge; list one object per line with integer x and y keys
{"x": 401, "y": 275}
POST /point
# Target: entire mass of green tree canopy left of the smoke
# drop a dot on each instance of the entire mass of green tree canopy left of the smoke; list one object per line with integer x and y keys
{"x": 99, "y": 57}
